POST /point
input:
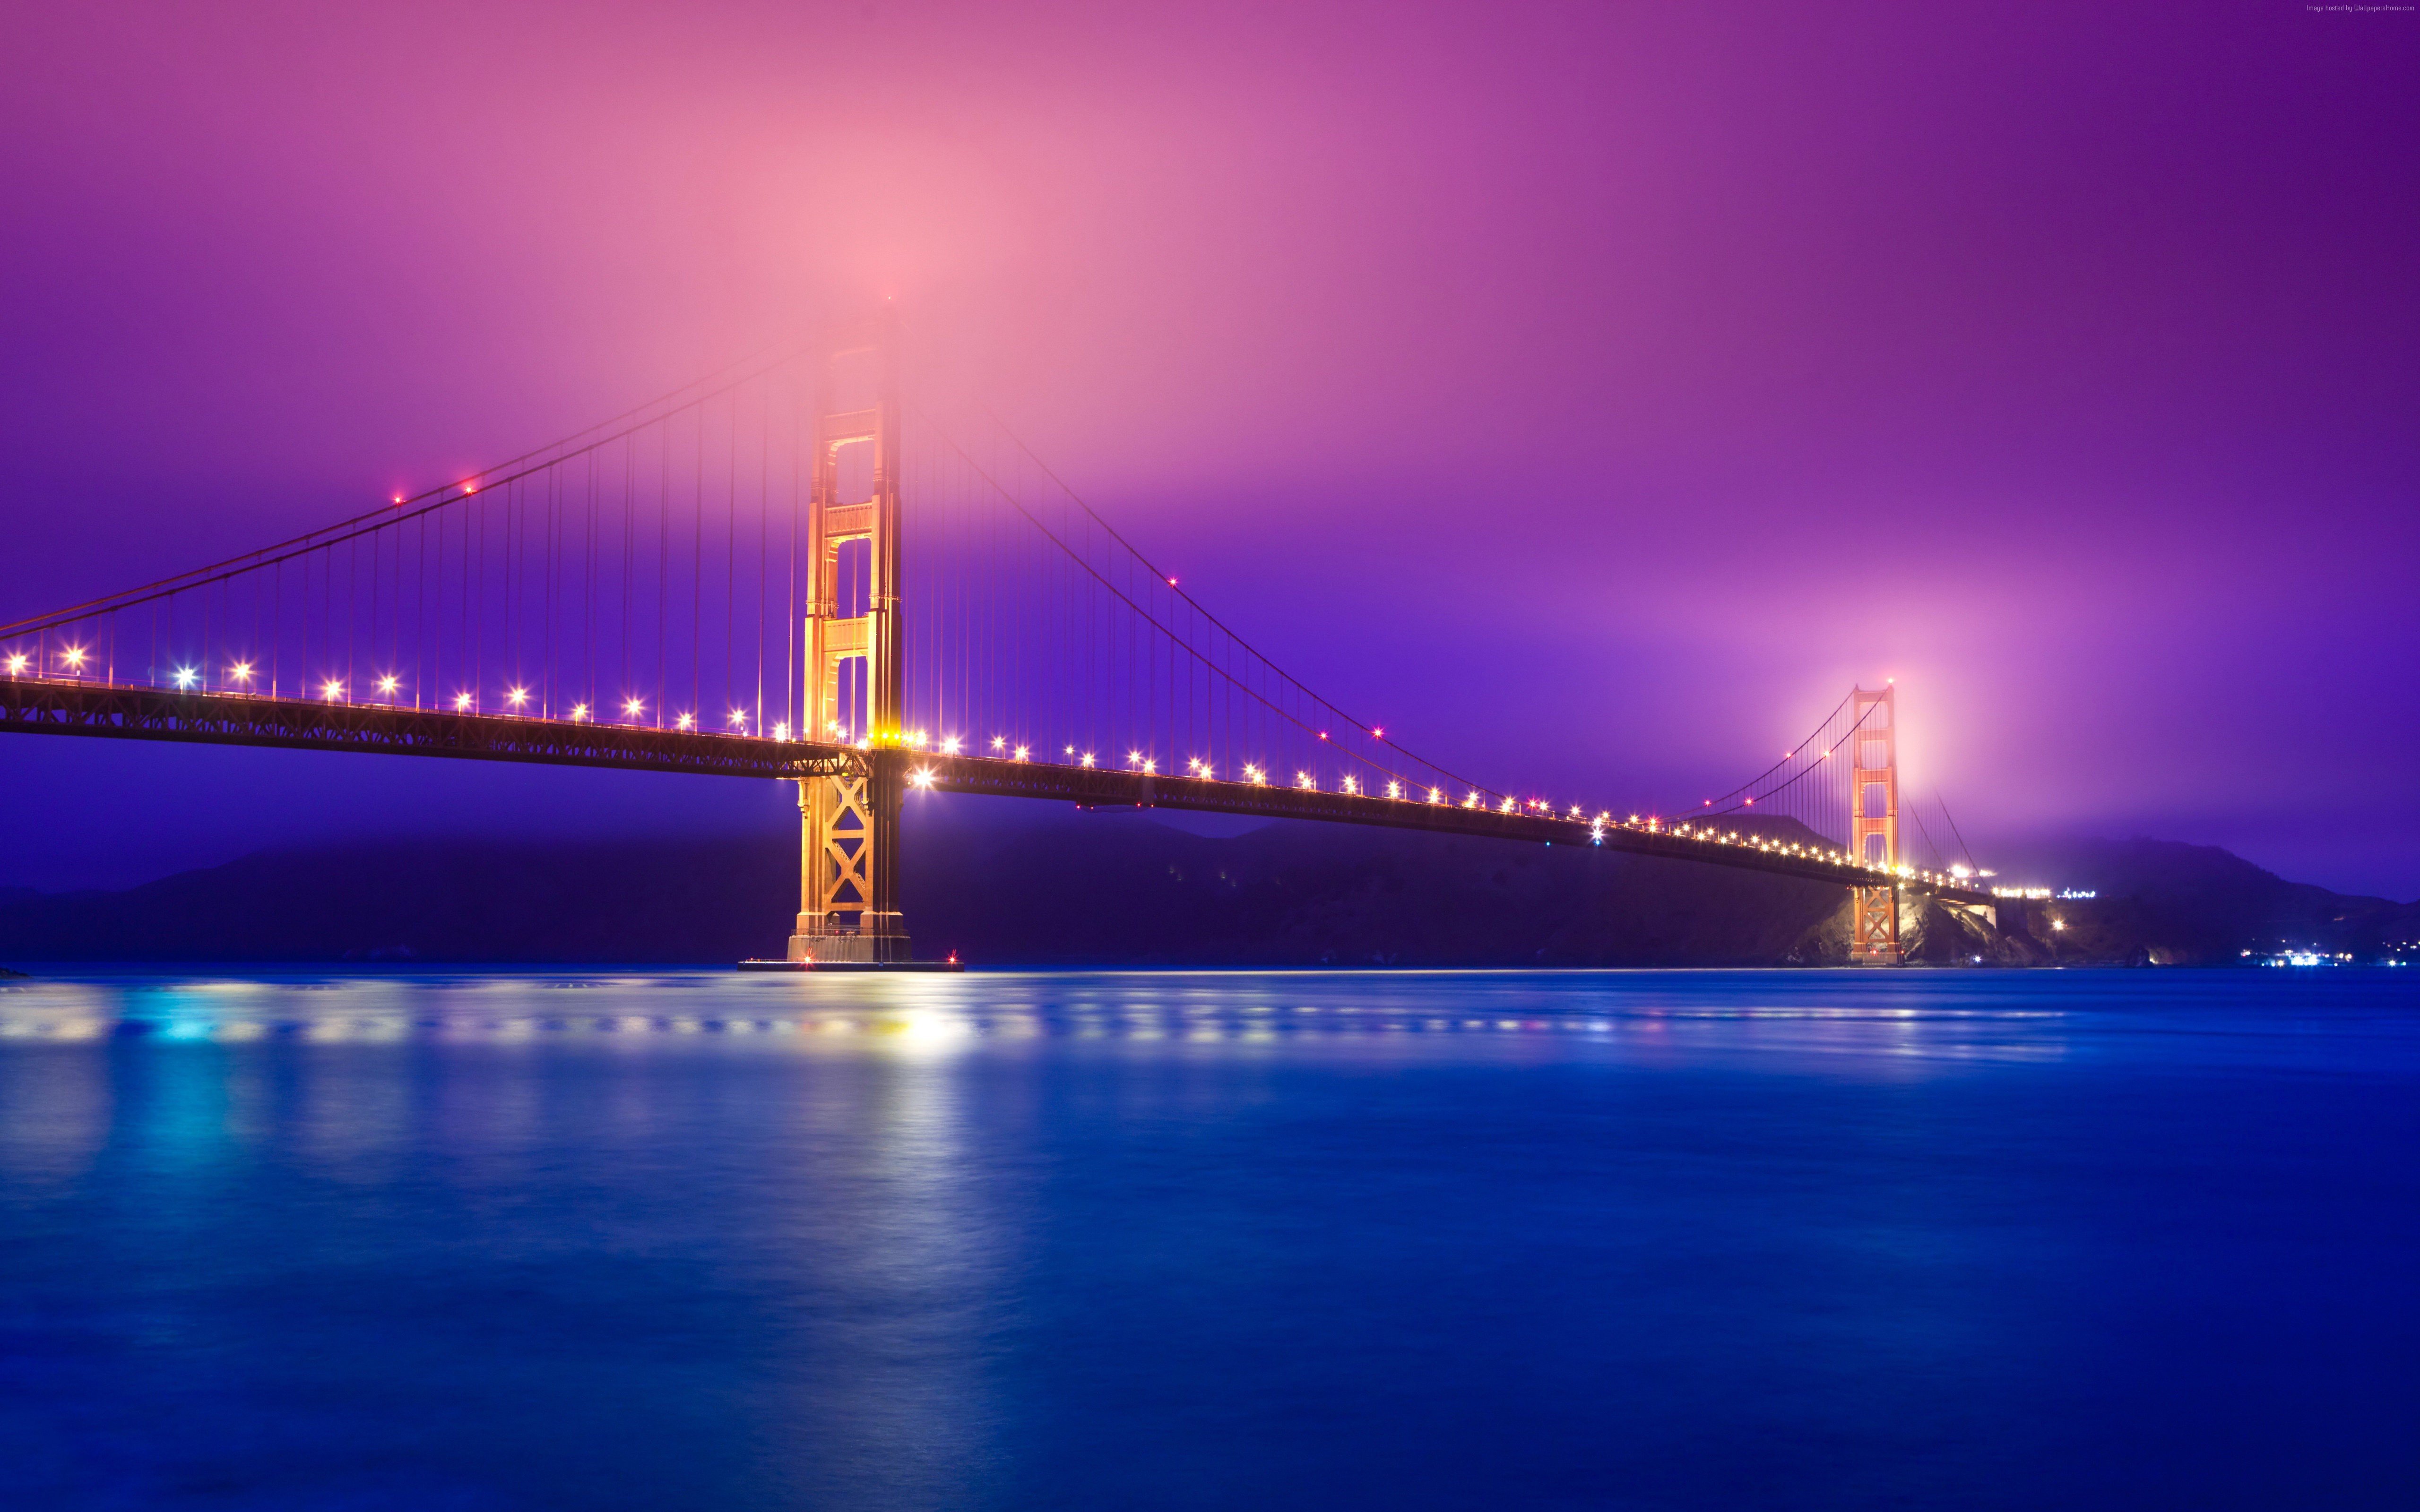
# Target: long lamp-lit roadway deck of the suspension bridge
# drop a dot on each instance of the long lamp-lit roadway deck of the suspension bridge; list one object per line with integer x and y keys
{"x": 69, "y": 708}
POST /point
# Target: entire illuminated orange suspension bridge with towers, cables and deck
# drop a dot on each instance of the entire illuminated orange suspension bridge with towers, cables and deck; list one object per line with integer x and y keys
{"x": 797, "y": 572}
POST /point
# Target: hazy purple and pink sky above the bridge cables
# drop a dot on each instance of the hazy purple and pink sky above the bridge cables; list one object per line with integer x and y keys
{"x": 1586, "y": 393}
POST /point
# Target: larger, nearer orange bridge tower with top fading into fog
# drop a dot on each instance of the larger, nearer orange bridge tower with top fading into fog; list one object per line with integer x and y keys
{"x": 848, "y": 848}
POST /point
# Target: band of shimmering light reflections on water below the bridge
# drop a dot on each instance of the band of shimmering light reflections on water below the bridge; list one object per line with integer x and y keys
{"x": 960, "y": 1012}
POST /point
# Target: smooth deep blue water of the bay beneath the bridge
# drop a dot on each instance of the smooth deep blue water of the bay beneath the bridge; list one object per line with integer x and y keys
{"x": 1640, "y": 1240}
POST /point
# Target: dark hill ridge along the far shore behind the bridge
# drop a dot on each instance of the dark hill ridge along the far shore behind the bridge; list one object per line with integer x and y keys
{"x": 1117, "y": 889}
